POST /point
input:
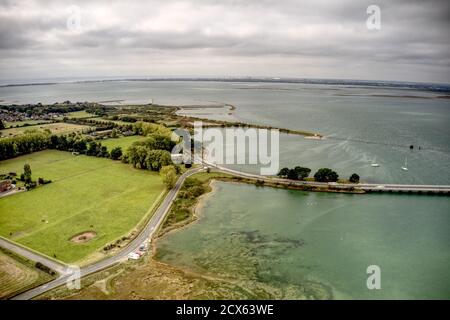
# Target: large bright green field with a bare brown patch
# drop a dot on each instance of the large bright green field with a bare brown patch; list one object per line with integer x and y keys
{"x": 87, "y": 194}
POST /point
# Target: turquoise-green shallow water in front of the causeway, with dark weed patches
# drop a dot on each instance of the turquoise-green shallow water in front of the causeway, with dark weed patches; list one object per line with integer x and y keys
{"x": 295, "y": 241}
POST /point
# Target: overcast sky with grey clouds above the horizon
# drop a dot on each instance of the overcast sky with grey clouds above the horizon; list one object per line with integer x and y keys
{"x": 312, "y": 38}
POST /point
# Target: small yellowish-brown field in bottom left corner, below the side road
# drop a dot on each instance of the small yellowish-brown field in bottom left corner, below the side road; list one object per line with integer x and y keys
{"x": 18, "y": 274}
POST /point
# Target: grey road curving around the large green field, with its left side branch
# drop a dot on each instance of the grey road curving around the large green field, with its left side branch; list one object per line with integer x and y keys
{"x": 146, "y": 234}
